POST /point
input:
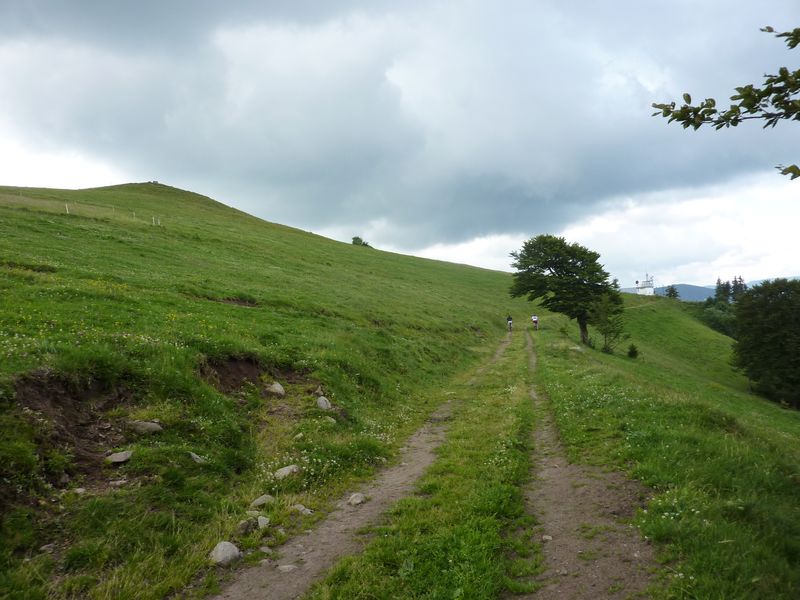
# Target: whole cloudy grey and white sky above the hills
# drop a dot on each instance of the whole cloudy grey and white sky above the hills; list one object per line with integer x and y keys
{"x": 452, "y": 130}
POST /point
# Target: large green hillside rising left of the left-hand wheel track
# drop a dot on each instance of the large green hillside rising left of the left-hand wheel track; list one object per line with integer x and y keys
{"x": 121, "y": 319}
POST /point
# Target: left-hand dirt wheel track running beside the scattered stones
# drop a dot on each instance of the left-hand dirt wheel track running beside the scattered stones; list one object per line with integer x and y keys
{"x": 305, "y": 558}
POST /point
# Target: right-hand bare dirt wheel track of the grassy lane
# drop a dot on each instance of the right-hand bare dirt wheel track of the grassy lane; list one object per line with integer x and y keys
{"x": 589, "y": 551}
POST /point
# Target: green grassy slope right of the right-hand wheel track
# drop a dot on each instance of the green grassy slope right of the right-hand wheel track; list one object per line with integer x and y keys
{"x": 722, "y": 464}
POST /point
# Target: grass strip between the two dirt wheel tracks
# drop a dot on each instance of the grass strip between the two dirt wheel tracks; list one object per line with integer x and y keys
{"x": 464, "y": 533}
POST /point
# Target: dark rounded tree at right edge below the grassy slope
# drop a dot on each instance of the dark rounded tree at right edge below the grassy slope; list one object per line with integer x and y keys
{"x": 767, "y": 348}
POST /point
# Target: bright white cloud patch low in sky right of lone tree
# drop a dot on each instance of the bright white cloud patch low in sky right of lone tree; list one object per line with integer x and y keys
{"x": 746, "y": 228}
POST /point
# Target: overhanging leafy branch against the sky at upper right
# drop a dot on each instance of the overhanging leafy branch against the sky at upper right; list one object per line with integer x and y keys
{"x": 774, "y": 101}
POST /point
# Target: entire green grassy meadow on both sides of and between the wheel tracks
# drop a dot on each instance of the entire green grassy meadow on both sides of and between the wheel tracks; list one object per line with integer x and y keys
{"x": 144, "y": 302}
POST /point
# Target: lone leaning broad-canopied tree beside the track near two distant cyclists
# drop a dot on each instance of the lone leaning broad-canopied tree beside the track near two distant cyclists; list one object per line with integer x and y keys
{"x": 566, "y": 277}
